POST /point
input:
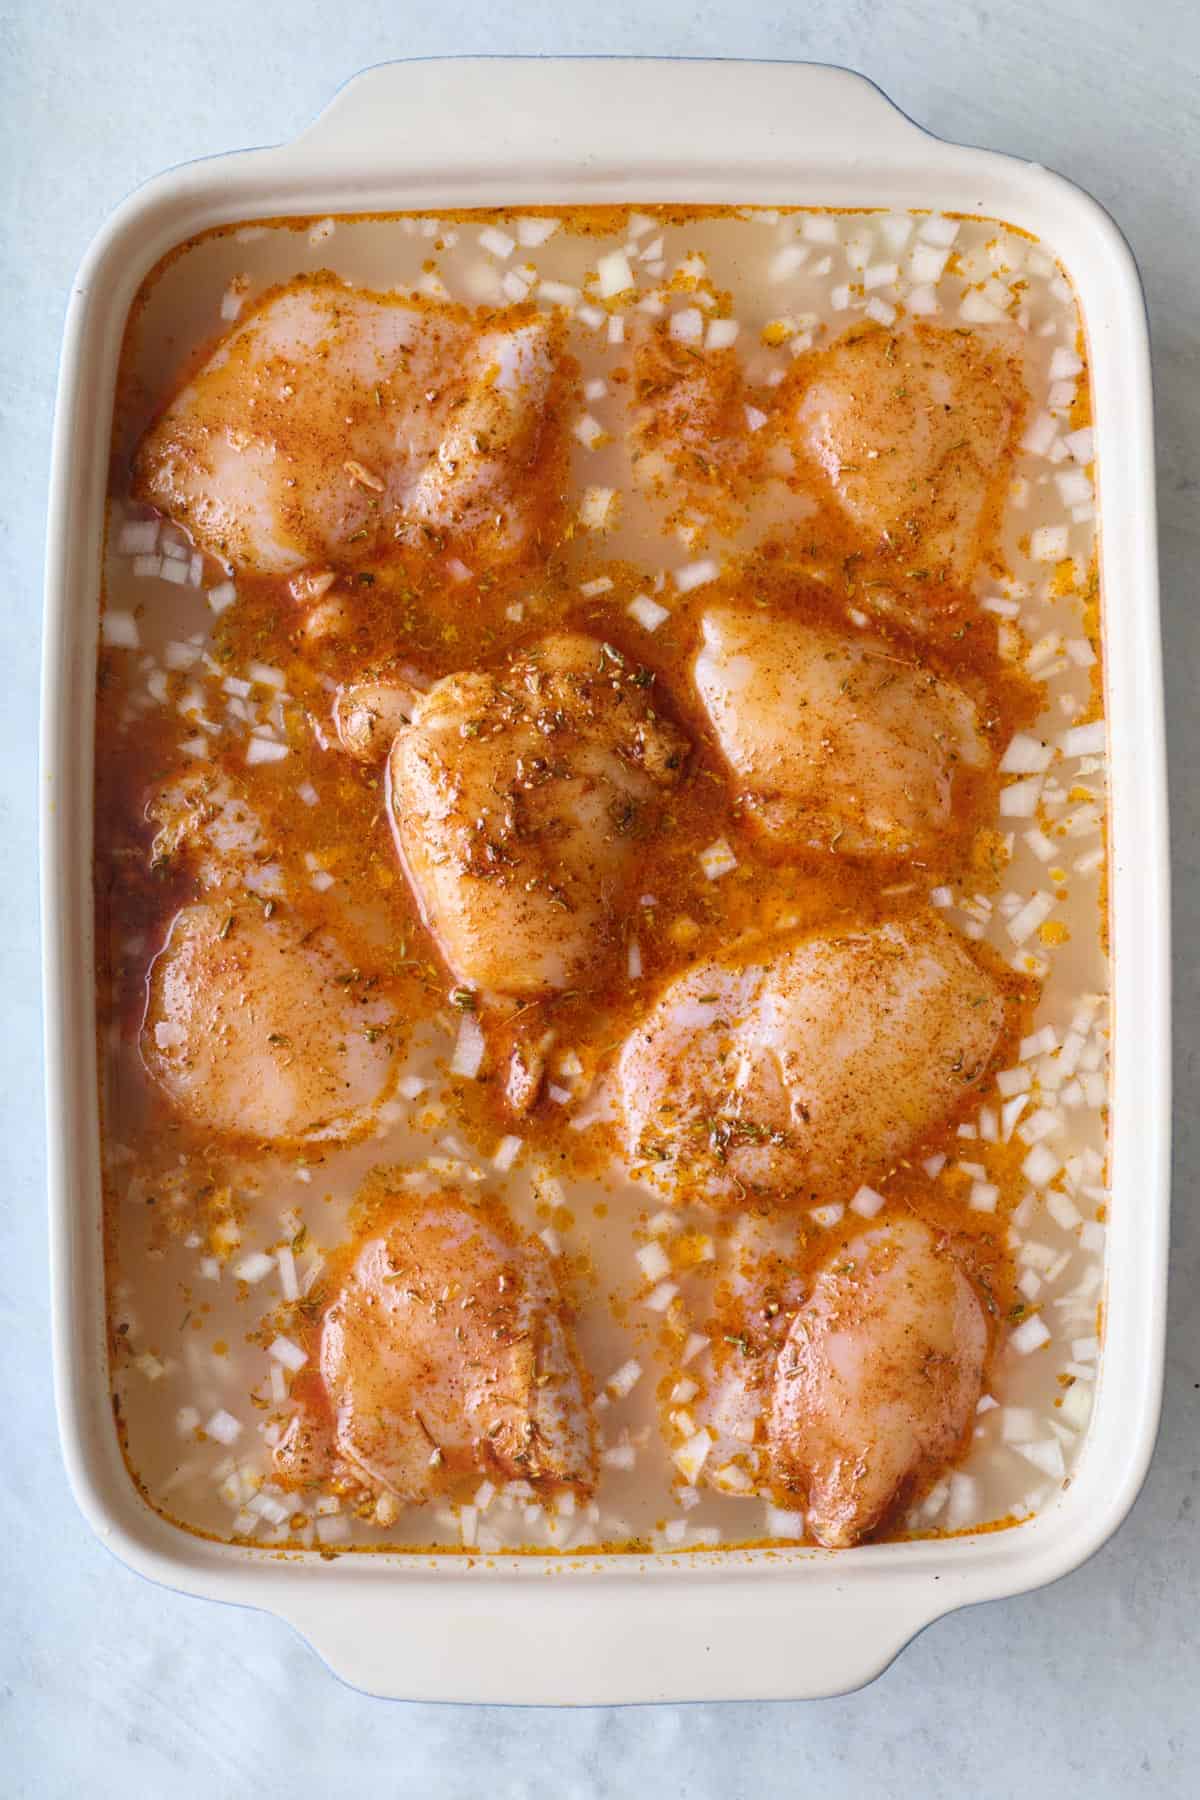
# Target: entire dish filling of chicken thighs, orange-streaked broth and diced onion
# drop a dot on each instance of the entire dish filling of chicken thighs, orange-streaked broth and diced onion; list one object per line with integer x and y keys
{"x": 600, "y": 881}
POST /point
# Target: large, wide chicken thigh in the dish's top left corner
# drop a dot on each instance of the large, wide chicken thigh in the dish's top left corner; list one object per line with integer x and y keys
{"x": 327, "y": 427}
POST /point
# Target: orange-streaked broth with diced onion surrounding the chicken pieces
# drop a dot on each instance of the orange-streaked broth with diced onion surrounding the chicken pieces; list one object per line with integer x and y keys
{"x": 184, "y": 1210}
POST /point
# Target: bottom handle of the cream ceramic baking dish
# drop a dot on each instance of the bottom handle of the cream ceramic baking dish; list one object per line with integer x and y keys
{"x": 721, "y": 1633}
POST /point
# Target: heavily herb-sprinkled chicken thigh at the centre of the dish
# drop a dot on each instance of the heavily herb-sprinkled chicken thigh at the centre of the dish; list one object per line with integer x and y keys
{"x": 523, "y": 802}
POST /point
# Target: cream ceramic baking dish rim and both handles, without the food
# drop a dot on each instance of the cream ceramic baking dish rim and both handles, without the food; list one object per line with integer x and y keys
{"x": 625, "y": 1628}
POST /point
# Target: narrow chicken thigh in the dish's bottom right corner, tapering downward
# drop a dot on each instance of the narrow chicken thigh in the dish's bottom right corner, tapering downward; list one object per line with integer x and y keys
{"x": 879, "y": 1380}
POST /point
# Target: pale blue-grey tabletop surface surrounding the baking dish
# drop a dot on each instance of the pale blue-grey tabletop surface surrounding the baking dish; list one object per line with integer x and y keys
{"x": 114, "y": 1687}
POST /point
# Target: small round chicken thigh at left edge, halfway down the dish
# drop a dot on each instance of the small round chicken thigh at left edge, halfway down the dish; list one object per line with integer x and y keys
{"x": 262, "y": 1030}
